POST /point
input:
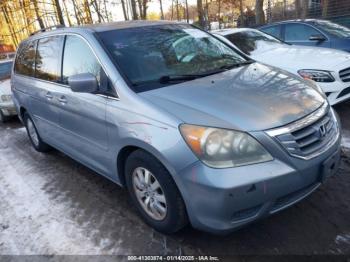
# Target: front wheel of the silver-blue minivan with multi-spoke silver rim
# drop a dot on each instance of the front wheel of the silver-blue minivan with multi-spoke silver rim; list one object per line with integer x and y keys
{"x": 154, "y": 193}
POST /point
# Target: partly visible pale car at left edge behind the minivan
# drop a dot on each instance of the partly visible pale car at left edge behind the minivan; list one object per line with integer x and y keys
{"x": 7, "y": 108}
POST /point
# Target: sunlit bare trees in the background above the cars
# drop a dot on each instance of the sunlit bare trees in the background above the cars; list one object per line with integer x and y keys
{"x": 20, "y": 18}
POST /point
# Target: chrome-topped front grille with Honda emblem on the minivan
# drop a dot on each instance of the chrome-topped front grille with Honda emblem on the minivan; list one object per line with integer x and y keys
{"x": 310, "y": 136}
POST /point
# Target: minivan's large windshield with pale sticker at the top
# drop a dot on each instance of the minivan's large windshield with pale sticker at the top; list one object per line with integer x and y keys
{"x": 156, "y": 56}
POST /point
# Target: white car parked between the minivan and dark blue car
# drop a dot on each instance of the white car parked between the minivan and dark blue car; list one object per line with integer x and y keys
{"x": 329, "y": 68}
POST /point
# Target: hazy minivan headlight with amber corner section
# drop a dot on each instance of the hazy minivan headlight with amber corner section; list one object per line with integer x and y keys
{"x": 223, "y": 148}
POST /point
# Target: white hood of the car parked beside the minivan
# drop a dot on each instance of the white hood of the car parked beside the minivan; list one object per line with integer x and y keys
{"x": 299, "y": 57}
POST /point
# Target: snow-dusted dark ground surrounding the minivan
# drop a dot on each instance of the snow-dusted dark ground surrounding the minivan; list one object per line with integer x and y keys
{"x": 50, "y": 204}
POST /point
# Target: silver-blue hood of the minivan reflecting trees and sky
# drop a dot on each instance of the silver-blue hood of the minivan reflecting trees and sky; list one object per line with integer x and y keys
{"x": 250, "y": 98}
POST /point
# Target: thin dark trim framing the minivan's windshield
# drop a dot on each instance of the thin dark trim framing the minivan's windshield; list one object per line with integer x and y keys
{"x": 130, "y": 84}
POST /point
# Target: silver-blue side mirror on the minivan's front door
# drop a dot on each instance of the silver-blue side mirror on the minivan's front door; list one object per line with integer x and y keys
{"x": 83, "y": 83}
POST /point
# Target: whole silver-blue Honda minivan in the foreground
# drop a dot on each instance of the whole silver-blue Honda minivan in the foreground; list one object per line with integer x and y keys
{"x": 193, "y": 128}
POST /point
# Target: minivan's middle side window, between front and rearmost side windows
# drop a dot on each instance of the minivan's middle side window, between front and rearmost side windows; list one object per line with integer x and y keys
{"x": 48, "y": 58}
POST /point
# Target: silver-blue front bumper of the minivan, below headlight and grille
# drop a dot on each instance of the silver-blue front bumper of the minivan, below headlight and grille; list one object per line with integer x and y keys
{"x": 222, "y": 200}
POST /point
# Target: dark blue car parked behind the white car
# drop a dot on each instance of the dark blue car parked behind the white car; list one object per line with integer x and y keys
{"x": 311, "y": 32}
